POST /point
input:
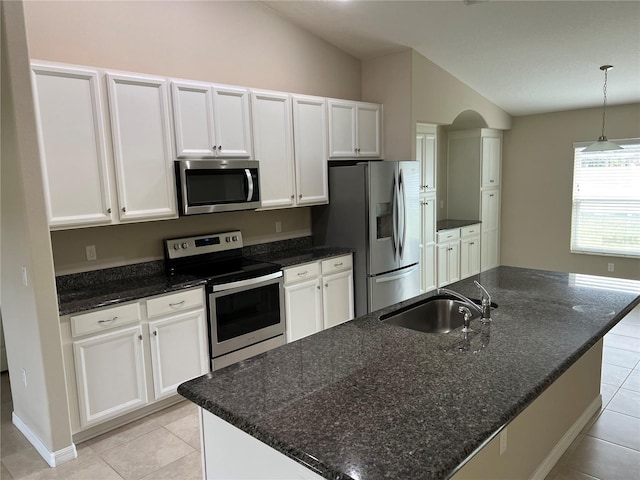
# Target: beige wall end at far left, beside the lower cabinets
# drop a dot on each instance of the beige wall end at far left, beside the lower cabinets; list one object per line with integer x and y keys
{"x": 29, "y": 312}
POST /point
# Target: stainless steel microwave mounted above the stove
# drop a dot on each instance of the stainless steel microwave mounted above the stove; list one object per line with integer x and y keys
{"x": 209, "y": 186}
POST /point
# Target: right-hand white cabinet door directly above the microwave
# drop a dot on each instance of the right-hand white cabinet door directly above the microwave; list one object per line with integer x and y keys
{"x": 231, "y": 124}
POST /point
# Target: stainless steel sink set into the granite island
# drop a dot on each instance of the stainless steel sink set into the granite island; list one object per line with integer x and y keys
{"x": 434, "y": 315}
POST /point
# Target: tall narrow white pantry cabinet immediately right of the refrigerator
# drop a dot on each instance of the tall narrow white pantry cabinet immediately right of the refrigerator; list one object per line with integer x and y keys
{"x": 426, "y": 154}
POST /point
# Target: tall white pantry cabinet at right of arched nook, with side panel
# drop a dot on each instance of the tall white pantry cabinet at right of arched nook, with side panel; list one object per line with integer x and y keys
{"x": 474, "y": 167}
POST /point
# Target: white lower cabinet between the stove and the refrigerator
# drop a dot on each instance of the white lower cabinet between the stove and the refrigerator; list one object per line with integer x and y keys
{"x": 318, "y": 295}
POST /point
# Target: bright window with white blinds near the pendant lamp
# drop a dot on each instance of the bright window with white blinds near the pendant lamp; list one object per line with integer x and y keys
{"x": 605, "y": 219}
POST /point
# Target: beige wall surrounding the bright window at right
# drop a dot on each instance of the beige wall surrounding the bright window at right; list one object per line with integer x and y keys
{"x": 537, "y": 178}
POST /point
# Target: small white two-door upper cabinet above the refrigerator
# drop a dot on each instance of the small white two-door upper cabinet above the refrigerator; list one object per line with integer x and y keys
{"x": 355, "y": 129}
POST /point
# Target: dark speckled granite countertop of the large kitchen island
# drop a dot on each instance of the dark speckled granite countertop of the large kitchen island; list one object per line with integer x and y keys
{"x": 367, "y": 400}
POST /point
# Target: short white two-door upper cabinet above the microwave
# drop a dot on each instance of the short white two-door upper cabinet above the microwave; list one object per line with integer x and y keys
{"x": 211, "y": 120}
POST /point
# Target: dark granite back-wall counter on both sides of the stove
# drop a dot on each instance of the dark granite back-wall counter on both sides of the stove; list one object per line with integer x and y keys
{"x": 102, "y": 288}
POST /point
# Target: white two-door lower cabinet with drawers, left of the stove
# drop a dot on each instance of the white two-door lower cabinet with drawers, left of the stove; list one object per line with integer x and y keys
{"x": 123, "y": 358}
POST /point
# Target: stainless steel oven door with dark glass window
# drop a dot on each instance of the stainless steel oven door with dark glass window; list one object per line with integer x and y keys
{"x": 246, "y": 312}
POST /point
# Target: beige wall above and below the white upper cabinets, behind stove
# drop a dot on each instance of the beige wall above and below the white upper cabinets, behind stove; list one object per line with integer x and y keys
{"x": 240, "y": 43}
